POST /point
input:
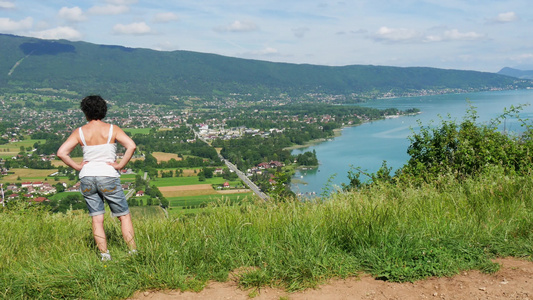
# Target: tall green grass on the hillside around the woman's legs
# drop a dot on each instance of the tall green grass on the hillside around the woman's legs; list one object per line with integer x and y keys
{"x": 394, "y": 233}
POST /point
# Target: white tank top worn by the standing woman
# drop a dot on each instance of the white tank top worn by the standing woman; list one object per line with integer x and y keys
{"x": 97, "y": 157}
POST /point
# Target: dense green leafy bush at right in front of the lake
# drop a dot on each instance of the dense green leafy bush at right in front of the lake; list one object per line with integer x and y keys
{"x": 467, "y": 149}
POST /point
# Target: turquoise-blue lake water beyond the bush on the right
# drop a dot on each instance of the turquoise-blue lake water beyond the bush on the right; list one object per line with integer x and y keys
{"x": 368, "y": 145}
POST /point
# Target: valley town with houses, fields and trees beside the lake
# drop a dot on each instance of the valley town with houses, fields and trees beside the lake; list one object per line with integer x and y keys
{"x": 254, "y": 137}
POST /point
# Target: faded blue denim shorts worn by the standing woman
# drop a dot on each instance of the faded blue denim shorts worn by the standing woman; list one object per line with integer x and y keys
{"x": 97, "y": 188}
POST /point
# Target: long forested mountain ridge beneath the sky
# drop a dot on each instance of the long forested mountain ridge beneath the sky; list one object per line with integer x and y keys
{"x": 143, "y": 75}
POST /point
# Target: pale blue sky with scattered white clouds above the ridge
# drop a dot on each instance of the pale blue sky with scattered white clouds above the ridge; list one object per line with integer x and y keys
{"x": 480, "y": 35}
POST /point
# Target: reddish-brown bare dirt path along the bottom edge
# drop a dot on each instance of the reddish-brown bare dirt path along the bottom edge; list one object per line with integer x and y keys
{"x": 514, "y": 280}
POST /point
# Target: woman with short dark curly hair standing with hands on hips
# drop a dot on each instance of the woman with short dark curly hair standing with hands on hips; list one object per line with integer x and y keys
{"x": 99, "y": 171}
